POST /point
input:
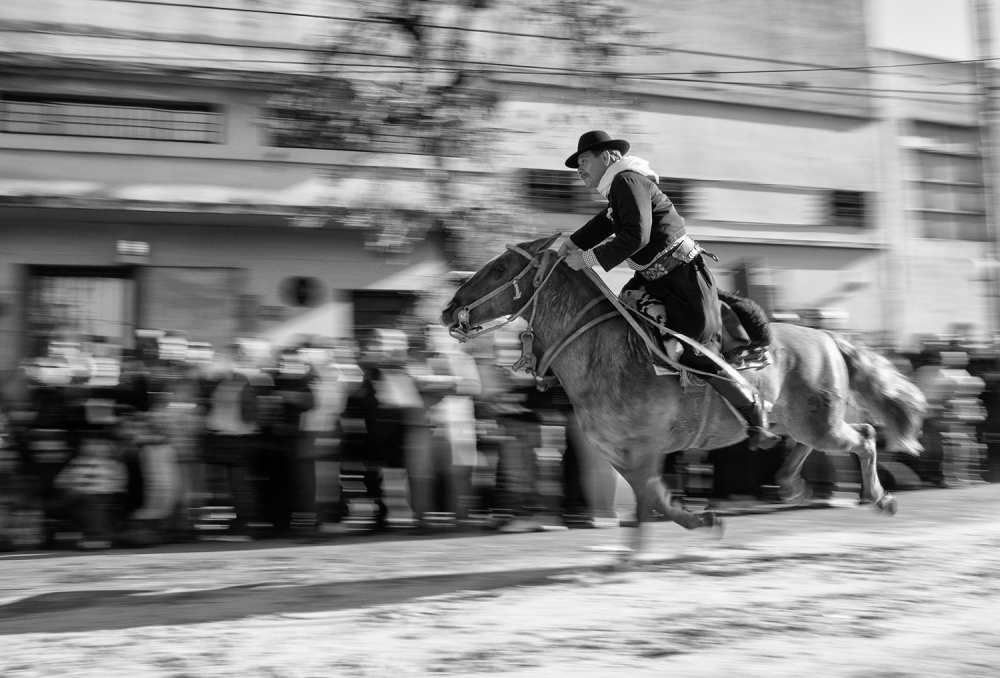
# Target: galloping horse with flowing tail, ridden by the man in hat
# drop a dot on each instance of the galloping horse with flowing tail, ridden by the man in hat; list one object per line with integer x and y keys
{"x": 634, "y": 417}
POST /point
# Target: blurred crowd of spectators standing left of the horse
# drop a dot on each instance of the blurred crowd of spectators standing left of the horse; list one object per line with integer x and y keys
{"x": 403, "y": 428}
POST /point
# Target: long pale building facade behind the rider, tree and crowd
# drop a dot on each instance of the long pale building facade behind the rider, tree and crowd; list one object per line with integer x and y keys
{"x": 139, "y": 187}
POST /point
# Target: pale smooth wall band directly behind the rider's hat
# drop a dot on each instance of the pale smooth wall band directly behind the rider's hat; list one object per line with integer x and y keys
{"x": 701, "y": 140}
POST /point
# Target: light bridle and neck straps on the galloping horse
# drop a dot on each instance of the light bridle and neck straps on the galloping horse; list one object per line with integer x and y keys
{"x": 464, "y": 331}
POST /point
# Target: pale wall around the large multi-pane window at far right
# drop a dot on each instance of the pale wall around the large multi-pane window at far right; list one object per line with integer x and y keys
{"x": 927, "y": 284}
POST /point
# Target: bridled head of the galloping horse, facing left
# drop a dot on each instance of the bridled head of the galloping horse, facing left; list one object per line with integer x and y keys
{"x": 503, "y": 287}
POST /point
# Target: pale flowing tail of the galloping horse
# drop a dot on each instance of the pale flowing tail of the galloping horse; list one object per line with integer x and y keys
{"x": 893, "y": 400}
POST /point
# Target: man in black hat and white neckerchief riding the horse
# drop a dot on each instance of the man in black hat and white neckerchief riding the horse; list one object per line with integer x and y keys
{"x": 650, "y": 237}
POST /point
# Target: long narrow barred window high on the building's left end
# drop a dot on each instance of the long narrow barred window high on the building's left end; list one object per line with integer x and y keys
{"x": 110, "y": 118}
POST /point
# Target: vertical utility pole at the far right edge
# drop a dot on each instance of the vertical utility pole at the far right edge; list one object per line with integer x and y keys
{"x": 985, "y": 84}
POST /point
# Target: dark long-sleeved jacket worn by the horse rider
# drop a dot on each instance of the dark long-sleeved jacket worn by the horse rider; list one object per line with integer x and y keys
{"x": 642, "y": 219}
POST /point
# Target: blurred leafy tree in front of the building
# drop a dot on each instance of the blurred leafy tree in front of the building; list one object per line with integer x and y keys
{"x": 412, "y": 76}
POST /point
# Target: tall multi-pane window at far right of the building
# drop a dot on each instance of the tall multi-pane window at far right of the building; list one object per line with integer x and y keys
{"x": 948, "y": 182}
